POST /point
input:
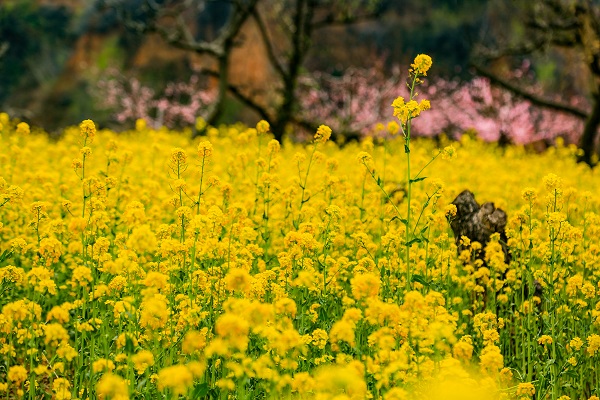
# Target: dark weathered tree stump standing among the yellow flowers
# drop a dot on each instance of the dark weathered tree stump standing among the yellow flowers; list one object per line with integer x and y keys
{"x": 478, "y": 223}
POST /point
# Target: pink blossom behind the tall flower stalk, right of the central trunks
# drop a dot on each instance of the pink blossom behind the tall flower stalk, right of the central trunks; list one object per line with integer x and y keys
{"x": 361, "y": 98}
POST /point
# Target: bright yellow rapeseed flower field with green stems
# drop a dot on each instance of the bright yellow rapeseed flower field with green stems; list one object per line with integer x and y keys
{"x": 145, "y": 265}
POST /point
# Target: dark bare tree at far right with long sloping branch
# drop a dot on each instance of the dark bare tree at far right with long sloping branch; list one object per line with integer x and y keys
{"x": 569, "y": 30}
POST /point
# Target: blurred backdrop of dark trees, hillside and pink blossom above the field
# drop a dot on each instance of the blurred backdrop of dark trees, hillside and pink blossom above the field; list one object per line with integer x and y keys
{"x": 508, "y": 71}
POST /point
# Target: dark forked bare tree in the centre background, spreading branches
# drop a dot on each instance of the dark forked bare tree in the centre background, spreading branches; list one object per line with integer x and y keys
{"x": 286, "y": 29}
